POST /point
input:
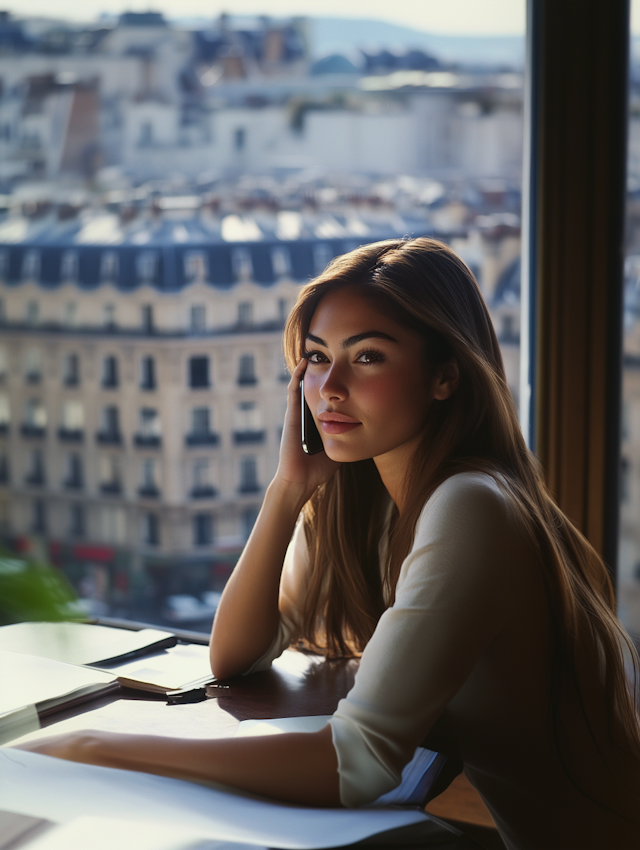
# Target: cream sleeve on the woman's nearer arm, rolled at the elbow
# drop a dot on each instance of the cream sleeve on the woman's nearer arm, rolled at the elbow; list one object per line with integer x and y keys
{"x": 451, "y": 598}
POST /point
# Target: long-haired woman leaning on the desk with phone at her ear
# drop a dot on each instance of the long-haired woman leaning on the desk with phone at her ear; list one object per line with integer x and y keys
{"x": 428, "y": 543}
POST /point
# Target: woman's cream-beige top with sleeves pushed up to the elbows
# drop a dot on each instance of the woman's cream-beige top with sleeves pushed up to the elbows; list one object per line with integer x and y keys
{"x": 461, "y": 662}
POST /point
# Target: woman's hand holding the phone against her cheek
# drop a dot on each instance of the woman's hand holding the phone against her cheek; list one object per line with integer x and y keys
{"x": 296, "y": 469}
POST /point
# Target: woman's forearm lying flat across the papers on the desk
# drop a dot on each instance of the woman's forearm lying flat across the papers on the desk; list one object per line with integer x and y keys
{"x": 297, "y": 768}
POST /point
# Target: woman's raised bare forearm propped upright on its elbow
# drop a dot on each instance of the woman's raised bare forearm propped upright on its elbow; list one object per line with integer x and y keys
{"x": 247, "y": 617}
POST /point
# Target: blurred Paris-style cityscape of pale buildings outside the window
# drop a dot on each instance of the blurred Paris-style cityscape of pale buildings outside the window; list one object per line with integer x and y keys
{"x": 164, "y": 190}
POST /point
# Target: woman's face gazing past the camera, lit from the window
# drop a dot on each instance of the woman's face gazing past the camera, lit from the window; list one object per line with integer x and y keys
{"x": 367, "y": 382}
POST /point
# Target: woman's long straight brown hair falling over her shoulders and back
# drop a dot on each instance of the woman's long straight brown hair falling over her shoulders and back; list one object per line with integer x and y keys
{"x": 426, "y": 287}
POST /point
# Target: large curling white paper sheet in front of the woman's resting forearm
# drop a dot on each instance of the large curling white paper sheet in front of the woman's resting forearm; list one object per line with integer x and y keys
{"x": 60, "y": 791}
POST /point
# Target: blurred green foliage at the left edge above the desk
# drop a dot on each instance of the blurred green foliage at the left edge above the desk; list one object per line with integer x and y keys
{"x": 32, "y": 591}
